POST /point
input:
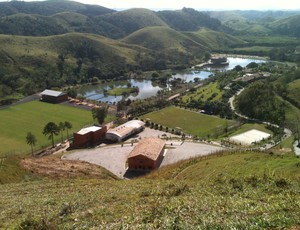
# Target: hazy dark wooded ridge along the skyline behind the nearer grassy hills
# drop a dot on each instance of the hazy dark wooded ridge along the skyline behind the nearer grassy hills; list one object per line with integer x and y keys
{"x": 53, "y": 17}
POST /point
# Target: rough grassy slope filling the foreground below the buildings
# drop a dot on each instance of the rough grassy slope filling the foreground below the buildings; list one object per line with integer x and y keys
{"x": 223, "y": 191}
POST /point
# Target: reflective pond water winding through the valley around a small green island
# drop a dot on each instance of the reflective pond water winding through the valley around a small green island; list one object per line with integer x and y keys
{"x": 147, "y": 88}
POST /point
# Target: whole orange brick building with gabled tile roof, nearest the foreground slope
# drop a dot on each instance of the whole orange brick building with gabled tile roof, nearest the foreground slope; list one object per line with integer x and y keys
{"x": 147, "y": 154}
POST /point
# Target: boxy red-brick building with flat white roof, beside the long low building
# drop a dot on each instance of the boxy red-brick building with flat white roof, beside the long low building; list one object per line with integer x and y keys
{"x": 89, "y": 136}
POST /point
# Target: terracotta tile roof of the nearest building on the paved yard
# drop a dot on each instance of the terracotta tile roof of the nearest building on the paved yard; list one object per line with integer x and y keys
{"x": 148, "y": 147}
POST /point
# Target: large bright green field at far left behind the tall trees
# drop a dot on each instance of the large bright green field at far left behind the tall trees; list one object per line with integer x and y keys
{"x": 16, "y": 121}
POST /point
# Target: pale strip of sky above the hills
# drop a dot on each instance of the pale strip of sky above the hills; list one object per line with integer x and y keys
{"x": 198, "y": 4}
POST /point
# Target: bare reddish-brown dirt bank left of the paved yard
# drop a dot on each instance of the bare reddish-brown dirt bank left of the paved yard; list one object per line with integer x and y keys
{"x": 54, "y": 167}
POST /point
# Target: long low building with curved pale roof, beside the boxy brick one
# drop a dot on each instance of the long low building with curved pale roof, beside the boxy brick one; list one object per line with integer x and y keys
{"x": 125, "y": 130}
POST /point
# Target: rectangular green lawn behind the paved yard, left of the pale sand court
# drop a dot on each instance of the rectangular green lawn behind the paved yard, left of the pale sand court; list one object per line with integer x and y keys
{"x": 190, "y": 122}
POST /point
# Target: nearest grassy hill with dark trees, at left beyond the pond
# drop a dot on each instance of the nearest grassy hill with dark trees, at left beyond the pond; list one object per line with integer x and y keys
{"x": 30, "y": 64}
